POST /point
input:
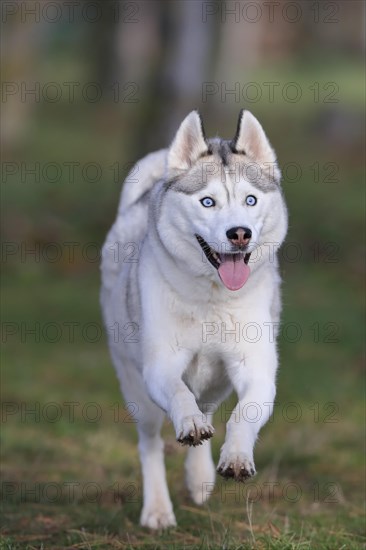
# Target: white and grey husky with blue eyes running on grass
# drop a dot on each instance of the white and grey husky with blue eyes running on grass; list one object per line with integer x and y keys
{"x": 191, "y": 301}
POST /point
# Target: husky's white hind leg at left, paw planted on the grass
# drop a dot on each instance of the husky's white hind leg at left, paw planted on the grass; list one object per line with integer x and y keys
{"x": 157, "y": 511}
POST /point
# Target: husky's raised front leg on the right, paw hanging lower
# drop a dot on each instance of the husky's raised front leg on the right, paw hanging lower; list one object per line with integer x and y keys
{"x": 253, "y": 379}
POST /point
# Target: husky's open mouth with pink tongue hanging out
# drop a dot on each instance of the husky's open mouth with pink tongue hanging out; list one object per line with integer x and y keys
{"x": 233, "y": 268}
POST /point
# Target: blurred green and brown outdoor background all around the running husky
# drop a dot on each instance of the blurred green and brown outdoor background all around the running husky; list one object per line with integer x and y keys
{"x": 87, "y": 89}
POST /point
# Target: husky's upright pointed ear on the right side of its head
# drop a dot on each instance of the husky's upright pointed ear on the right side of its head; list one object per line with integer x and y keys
{"x": 250, "y": 139}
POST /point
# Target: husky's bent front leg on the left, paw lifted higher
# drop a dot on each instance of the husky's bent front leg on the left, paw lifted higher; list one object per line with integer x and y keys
{"x": 163, "y": 378}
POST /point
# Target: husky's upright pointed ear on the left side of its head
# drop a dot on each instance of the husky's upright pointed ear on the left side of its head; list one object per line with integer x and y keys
{"x": 189, "y": 143}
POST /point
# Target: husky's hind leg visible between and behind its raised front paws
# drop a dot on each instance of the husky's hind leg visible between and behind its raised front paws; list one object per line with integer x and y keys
{"x": 200, "y": 471}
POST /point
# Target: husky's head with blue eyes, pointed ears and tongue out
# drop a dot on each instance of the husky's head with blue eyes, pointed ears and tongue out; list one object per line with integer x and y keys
{"x": 222, "y": 207}
